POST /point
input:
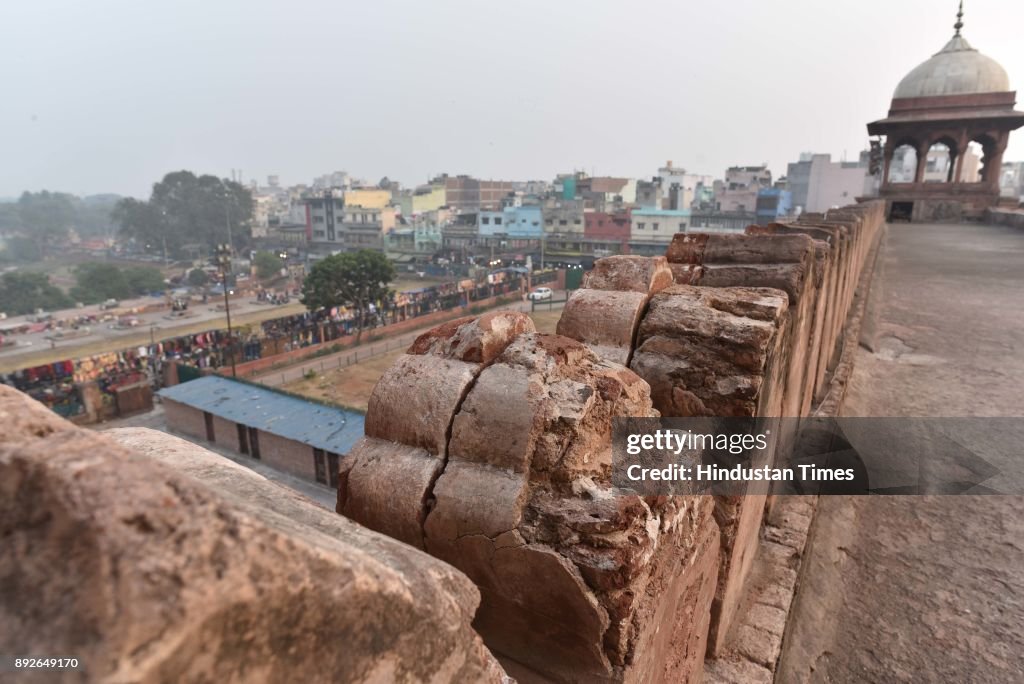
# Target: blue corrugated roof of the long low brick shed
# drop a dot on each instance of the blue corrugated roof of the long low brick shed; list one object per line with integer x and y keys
{"x": 290, "y": 417}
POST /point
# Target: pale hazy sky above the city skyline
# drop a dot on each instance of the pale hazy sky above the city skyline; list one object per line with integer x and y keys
{"x": 109, "y": 96}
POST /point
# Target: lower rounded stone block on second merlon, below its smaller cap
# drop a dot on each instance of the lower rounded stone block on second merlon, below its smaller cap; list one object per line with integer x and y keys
{"x": 606, "y": 321}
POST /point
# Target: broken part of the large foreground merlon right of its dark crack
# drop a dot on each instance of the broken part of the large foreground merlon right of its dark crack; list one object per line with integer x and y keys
{"x": 579, "y": 581}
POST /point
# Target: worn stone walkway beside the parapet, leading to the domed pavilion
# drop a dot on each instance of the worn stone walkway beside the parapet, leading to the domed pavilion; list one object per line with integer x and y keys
{"x": 925, "y": 589}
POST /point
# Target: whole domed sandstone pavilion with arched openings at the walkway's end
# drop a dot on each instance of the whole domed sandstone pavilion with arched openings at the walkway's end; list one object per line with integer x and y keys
{"x": 957, "y": 98}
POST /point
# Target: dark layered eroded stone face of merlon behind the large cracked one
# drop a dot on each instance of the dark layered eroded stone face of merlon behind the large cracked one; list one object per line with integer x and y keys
{"x": 719, "y": 352}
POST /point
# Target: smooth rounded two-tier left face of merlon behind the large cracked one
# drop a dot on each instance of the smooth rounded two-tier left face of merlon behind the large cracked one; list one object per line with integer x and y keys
{"x": 606, "y": 313}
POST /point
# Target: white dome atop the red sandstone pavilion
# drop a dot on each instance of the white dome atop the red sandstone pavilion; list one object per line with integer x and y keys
{"x": 957, "y": 70}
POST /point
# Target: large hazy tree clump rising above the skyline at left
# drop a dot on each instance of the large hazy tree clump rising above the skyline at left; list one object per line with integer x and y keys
{"x": 184, "y": 210}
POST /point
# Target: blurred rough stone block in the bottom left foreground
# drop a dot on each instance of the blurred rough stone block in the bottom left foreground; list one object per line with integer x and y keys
{"x": 154, "y": 560}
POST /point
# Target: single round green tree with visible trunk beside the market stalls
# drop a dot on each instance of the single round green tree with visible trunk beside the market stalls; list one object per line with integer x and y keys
{"x": 356, "y": 280}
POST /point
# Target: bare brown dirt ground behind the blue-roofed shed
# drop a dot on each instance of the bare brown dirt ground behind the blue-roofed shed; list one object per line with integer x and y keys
{"x": 351, "y": 387}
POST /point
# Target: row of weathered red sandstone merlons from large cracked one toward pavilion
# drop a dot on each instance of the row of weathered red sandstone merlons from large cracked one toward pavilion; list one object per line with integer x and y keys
{"x": 487, "y": 499}
